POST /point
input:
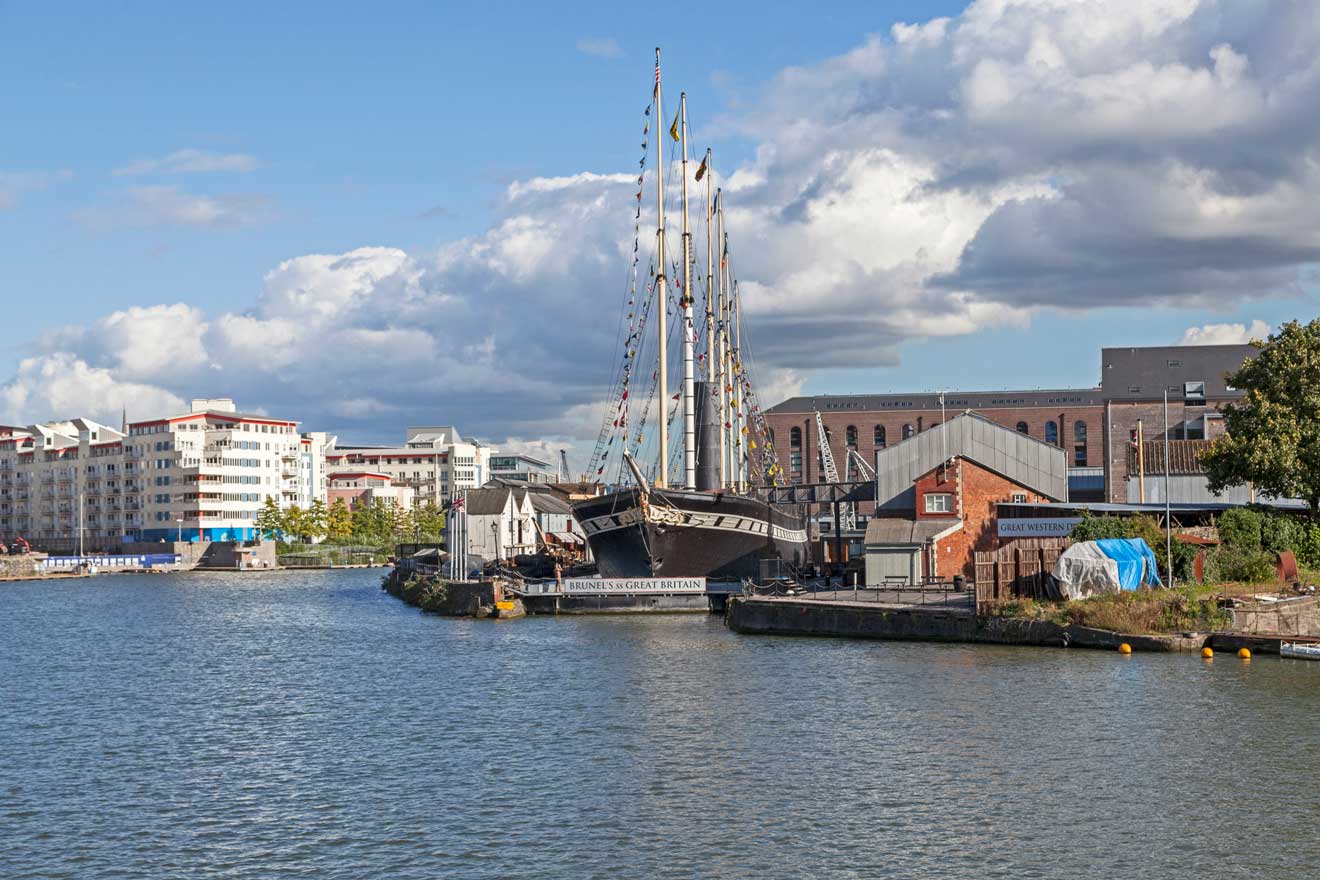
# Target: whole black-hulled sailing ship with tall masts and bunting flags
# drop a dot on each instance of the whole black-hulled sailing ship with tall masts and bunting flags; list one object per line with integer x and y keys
{"x": 713, "y": 524}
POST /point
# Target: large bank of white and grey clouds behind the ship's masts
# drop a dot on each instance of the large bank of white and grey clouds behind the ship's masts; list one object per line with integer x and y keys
{"x": 954, "y": 176}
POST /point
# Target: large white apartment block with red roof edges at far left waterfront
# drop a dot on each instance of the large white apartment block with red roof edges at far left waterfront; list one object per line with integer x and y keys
{"x": 199, "y": 477}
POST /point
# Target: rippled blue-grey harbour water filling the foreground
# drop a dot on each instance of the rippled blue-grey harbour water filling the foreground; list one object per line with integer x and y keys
{"x": 307, "y": 725}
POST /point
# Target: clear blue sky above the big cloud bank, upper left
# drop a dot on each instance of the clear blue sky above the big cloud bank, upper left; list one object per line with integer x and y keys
{"x": 394, "y": 125}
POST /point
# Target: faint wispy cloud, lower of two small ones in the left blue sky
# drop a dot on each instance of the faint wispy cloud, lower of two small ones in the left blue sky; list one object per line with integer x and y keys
{"x": 147, "y": 206}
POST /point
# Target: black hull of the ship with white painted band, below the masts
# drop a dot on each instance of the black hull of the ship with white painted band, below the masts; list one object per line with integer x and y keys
{"x": 675, "y": 534}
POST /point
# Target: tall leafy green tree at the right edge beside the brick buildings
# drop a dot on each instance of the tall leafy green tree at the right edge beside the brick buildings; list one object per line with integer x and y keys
{"x": 1273, "y": 437}
